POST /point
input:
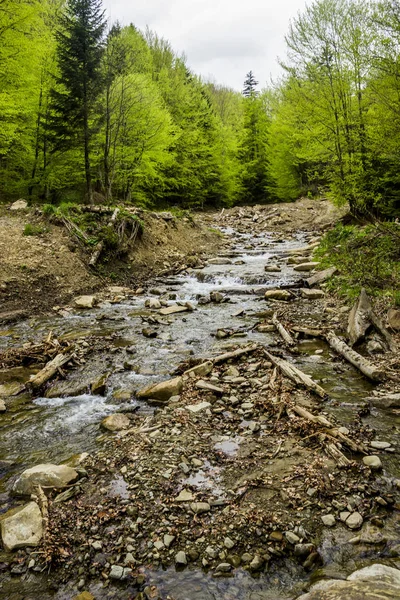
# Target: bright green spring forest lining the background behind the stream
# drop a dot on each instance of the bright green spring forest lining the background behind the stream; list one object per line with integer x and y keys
{"x": 98, "y": 112}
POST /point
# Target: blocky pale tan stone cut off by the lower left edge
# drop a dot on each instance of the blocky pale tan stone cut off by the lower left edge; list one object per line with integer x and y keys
{"x": 22, "y": 527}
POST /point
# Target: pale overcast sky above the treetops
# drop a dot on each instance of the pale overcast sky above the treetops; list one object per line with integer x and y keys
{"x": 222, "y": 39}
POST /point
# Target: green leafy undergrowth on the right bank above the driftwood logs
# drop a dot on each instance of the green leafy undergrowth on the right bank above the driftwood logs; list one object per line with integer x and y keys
{"x": 366, "y": 257}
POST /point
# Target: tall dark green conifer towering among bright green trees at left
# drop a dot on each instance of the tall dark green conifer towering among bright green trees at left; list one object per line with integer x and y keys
{"x": 79, "y": 54}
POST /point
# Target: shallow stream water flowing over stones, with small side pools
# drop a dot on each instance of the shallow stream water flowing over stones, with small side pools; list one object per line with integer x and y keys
{"x": 54, "y": 429}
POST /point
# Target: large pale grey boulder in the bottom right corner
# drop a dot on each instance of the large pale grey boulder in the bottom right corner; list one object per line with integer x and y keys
{"x": 377, "y": 582}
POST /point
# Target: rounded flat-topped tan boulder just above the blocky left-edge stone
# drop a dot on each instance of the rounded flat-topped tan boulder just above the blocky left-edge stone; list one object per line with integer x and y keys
{"x": 46, "y": 475}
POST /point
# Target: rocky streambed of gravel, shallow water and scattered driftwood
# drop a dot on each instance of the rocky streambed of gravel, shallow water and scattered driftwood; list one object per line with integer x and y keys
{"x": 231, "y": 480}
